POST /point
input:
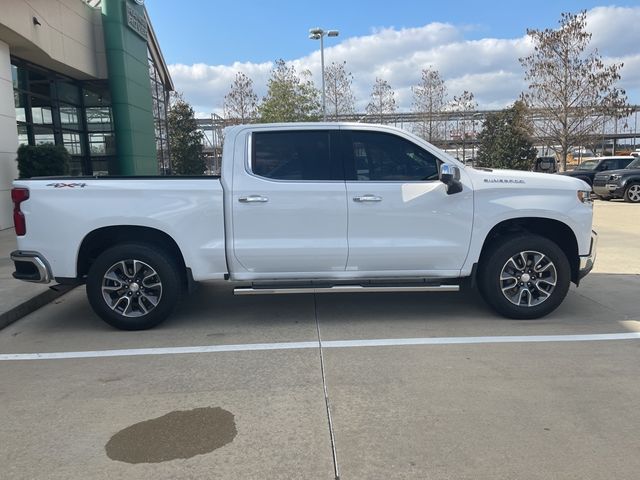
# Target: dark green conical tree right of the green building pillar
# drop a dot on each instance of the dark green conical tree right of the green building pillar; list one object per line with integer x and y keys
{"x": 185, "y": 139}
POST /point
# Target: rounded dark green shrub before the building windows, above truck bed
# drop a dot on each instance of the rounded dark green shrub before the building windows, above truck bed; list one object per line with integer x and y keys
{"x": 42, "y": 160}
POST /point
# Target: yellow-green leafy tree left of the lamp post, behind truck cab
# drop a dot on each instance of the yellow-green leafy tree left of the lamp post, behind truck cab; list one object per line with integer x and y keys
{"x": 290, "y": 98}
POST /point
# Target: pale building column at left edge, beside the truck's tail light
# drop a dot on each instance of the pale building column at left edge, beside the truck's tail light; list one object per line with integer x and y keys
{"x": 8, "y": 138}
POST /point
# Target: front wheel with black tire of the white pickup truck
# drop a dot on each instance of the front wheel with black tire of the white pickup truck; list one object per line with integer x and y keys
{"x": 535, "y": 297}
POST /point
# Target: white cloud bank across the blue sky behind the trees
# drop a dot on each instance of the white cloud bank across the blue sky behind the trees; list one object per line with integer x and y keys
{"x": 487, "y": 67}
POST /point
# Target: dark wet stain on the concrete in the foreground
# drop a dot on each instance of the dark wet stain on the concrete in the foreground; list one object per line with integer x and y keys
{"x": 179, "y": 434}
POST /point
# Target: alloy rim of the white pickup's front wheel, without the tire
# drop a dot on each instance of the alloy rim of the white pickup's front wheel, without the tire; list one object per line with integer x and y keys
{"x": 528, "y": 279}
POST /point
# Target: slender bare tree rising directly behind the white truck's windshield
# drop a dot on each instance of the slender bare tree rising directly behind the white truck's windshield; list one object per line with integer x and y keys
{"x": 429, "y": 99}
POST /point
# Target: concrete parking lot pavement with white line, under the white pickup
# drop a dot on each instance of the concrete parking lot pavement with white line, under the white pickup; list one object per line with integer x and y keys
{"x": 417, "y": 385}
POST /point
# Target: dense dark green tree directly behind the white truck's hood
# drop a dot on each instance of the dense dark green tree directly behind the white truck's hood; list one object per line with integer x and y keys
{"x": 506, "y": 139}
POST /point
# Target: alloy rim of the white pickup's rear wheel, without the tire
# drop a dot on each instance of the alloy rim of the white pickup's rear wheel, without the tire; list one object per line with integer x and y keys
{"x": 131, "y": 288}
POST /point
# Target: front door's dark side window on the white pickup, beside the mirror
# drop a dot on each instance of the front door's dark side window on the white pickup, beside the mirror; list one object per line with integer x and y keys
{"x": 382, "y": 156}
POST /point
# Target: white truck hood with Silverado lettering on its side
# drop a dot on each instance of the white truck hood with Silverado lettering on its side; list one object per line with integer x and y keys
{"x": 521, "y": 179}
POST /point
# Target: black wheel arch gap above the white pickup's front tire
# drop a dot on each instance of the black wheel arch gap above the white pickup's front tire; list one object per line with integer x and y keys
{"x": 556, "y": 231}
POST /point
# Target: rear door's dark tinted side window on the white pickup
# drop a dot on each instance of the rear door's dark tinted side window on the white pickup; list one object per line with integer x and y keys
{"x": 293, "y": 155}
